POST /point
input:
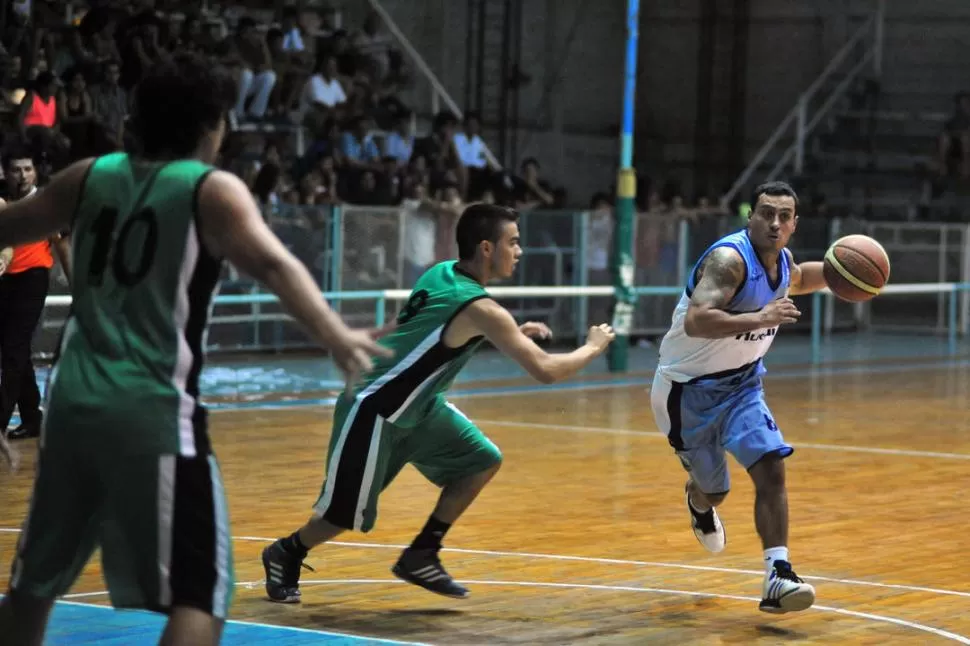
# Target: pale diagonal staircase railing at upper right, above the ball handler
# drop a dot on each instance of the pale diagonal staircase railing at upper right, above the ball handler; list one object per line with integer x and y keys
{"x": 800, "y": 118}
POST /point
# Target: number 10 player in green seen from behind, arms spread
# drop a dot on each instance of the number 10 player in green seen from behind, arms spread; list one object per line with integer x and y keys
{"x": 125, "y": 460}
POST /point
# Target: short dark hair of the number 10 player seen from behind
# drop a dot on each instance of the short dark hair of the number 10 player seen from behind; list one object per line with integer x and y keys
{"x": 179, "y": 100}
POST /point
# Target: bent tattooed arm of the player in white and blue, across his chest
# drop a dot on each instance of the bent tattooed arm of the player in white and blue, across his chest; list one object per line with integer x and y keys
{"x": 722, "y": 273}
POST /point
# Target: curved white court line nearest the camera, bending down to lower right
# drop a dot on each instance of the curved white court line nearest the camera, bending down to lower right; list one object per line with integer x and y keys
{"x": 855, "y": 614}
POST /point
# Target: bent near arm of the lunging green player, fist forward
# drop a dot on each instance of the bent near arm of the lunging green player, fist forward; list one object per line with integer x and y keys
{"x": 499, "y": 327}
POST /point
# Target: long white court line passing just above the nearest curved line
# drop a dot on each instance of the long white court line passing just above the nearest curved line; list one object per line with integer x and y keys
{"x": 611, "y": 561}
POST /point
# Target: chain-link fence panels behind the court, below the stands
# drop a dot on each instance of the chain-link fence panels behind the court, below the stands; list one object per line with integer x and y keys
{"x": 353, "y": 249}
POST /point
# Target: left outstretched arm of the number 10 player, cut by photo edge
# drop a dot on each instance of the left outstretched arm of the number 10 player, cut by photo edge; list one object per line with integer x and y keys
{"x": 47, "y": 211}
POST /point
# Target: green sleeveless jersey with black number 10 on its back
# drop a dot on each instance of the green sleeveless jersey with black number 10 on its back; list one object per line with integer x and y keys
{"x": 131, "y": 353}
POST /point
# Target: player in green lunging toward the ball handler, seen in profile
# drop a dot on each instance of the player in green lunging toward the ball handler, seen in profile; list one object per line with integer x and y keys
{"x": 399, "y": 414}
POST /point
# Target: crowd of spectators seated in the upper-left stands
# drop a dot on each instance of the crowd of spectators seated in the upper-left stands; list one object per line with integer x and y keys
{"x": 67, "y": 72}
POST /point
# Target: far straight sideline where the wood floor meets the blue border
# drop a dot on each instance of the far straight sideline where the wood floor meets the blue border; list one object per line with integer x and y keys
{"x": 601, "y": 384}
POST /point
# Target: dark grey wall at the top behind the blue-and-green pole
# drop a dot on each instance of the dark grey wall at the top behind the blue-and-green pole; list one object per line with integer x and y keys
{"x": 573, "y": 50}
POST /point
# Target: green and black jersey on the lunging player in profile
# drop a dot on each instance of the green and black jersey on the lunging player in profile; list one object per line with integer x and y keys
{"x": 404, "y": 386}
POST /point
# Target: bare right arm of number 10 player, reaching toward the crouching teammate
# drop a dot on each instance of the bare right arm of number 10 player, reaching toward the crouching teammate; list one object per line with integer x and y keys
{"x": 232, "y": 227}
